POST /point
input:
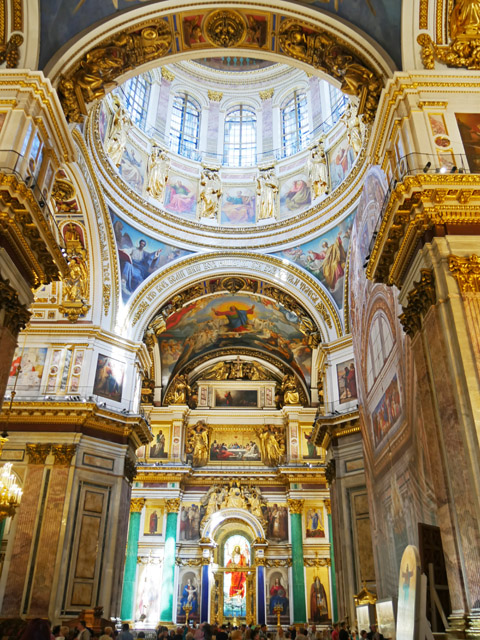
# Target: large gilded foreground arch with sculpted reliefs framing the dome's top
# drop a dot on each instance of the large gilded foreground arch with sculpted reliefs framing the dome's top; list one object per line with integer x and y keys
{"x": 139, "y": 39}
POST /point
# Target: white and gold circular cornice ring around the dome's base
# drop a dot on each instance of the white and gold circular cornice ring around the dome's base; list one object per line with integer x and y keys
{"x": 139, "y": 209}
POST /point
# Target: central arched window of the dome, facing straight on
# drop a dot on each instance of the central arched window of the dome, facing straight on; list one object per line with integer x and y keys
{"x": 240, "y": 140}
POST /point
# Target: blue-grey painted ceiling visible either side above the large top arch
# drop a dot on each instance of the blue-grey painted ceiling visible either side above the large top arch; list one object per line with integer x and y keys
{"x": 62, "y": 20}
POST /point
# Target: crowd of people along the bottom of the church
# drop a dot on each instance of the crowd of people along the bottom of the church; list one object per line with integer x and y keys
{"x": 40, "y": 629}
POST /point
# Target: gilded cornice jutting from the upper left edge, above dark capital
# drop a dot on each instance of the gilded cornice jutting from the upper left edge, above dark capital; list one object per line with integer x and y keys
{"x": 22, "y": 218}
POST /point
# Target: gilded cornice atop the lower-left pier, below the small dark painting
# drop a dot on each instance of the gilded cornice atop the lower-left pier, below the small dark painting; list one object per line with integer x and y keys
{"x": 79, "y": 414}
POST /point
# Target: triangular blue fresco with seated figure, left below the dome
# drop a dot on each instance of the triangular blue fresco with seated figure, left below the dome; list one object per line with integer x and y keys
{"x": 139, "y": 255}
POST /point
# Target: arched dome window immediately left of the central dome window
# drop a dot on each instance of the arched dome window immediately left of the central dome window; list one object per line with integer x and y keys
{"x": 185, "y": 126}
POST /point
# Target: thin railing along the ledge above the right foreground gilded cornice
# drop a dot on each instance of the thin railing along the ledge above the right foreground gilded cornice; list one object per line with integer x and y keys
{"x": 417, "y": 164}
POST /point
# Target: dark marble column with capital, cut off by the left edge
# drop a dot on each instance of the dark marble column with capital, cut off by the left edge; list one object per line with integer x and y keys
{"x": 13, "y": 317}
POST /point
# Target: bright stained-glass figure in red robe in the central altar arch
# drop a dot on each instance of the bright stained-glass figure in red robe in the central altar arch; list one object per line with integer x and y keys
{"x": 236, "y": 552}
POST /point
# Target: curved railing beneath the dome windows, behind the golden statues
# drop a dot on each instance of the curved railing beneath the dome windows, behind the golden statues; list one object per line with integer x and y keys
{"x": 260, "y": 158}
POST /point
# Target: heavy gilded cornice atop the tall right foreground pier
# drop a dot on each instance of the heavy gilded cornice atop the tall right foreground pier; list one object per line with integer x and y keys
{"x": 416, "y": 205}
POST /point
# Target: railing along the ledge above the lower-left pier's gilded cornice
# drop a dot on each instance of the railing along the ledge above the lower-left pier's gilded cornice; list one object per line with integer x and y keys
{"x": 77, "y": 396}
